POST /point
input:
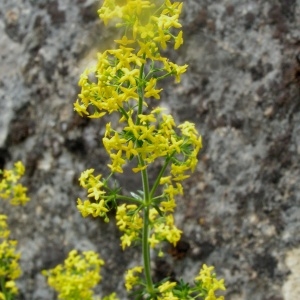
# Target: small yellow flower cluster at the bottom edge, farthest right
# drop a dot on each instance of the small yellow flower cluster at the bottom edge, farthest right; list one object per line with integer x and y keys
{"x": 208, "y": 283}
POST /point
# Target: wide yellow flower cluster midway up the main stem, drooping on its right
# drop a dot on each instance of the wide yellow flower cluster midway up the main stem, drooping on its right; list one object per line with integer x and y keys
{"x": 154, "y": 136}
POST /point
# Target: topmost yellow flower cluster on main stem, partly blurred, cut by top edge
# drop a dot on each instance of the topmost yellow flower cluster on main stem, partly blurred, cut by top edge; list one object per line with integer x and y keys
{"x": 145, "y": 21}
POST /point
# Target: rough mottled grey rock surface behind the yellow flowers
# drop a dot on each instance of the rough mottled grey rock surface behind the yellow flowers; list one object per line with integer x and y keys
{"x": 241, "y": 208}
